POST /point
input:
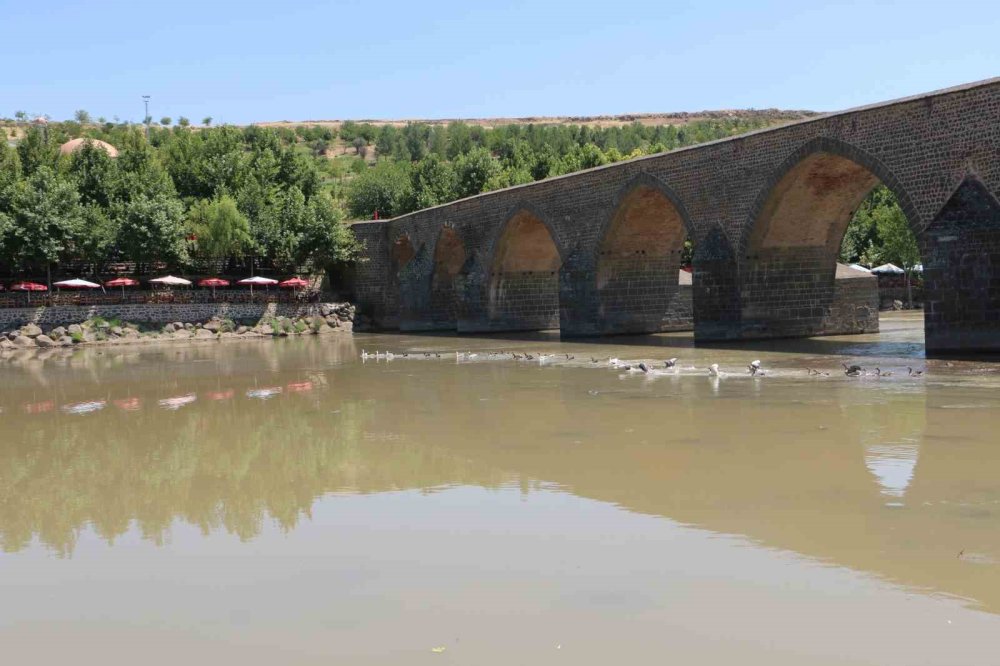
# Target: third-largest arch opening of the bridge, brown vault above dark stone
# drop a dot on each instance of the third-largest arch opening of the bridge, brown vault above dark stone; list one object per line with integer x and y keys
{"x": 524, "y": 280}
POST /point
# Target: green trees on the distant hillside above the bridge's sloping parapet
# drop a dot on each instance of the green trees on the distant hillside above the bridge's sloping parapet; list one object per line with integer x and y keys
{"x": 420, "y": 165}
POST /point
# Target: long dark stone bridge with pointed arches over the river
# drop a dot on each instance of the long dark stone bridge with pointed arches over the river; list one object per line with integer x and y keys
{"x": 597, "y": 252}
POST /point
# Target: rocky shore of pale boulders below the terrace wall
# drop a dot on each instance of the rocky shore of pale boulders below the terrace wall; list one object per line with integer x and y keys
{"x": 330, "y": 318}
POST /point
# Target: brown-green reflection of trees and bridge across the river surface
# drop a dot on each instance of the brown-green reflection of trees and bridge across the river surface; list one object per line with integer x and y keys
{"x": 897, "y": 479}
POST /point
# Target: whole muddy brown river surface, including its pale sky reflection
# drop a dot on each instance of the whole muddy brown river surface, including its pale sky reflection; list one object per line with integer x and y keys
{"x": 288, "y": 502}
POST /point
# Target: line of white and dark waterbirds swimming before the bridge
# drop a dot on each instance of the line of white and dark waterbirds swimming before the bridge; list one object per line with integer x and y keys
{"x": 669, "y": 366}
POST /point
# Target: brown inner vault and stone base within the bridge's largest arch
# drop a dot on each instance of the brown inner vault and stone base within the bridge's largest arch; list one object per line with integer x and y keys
{"x": 792, "y": 284}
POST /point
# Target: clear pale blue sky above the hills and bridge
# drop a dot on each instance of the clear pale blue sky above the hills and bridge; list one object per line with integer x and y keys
{"x": 308, "y": 59}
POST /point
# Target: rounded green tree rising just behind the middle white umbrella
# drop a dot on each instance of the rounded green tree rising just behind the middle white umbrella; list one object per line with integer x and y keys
{"x": 152, "y": 229}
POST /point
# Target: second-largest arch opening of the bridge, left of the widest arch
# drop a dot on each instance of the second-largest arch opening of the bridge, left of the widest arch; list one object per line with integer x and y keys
{"x": 639, "y": 282}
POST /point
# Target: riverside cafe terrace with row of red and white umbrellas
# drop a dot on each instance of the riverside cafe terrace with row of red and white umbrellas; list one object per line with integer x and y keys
{"x": 125, "y": 290}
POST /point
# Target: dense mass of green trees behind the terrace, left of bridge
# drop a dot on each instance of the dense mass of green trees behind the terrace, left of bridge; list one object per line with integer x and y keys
{"x": 175, "y": 199}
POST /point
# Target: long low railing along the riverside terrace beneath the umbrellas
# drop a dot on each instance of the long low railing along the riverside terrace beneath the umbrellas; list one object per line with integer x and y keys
{"x": 142, "y": 297}
